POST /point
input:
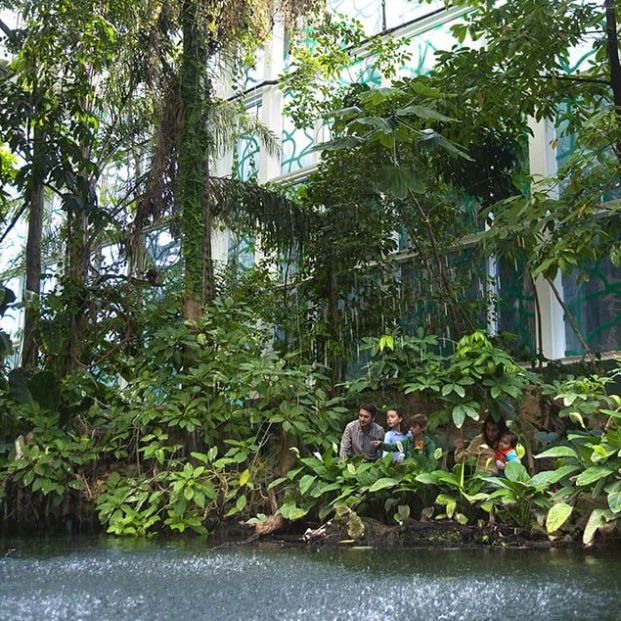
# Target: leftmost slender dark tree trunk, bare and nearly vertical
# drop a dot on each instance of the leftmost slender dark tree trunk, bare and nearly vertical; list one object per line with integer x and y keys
{"x": 33, "y": 252}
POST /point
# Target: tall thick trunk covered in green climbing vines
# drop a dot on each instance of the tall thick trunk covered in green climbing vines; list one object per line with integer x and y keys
{"x": 193, "y": 159}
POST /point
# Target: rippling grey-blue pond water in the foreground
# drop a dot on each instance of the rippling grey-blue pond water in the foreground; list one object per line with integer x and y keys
{"x": 110, "y": 579}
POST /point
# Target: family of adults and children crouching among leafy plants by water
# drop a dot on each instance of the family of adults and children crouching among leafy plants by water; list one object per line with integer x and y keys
{"x": 491, "y": 450}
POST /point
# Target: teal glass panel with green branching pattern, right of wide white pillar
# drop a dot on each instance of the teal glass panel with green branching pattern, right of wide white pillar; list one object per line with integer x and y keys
{"x": 596, "y": 306}
